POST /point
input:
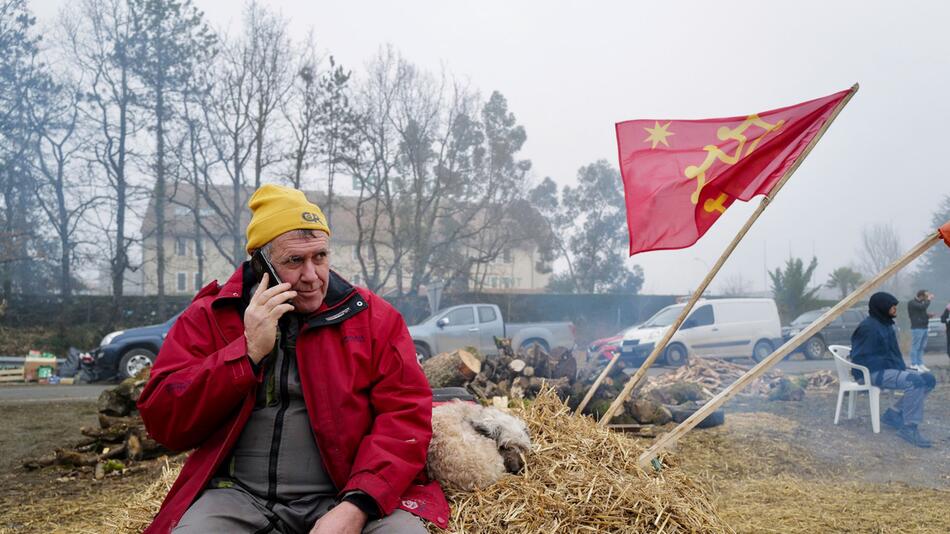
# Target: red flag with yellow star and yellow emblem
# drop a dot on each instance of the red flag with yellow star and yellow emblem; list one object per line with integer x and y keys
{"x": 679, "y": 177}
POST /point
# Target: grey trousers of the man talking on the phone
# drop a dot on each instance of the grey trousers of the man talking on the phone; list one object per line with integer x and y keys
{"x": 234, "y": 510}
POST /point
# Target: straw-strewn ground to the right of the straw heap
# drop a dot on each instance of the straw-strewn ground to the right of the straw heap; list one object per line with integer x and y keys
{"x": 785, "y": 467}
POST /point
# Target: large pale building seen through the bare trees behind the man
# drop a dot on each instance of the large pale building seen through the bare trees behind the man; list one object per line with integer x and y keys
{"x": 518, "y": 269}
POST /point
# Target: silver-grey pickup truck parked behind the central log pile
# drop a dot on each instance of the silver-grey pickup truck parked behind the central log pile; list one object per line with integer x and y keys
{"x": 477, "y": 325}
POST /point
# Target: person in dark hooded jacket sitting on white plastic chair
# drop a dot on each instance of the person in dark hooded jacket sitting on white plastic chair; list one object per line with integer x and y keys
{"x": 874, "y": 345}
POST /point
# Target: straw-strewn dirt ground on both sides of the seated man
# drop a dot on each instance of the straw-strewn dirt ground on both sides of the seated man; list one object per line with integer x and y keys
{"x": 773, "y": 467}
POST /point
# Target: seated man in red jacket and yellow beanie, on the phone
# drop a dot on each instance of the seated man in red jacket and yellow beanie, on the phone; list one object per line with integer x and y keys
{"x": 300, "y": 394}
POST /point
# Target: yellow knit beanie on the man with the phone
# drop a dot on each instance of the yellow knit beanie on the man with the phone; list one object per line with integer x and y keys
{"x": 276, "y": 209}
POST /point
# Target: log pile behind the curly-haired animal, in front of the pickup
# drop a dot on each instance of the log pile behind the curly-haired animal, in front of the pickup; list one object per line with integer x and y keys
{"x": 513, "y": 374}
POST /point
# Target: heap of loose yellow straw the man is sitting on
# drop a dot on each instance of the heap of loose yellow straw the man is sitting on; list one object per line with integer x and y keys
{"x": 578, "y": 477}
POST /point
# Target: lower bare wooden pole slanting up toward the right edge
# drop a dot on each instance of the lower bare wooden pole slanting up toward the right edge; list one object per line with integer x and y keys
{"x": 667, "y": 439}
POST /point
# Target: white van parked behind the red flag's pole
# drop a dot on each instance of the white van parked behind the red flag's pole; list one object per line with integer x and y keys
{"x": 717, "y": 328}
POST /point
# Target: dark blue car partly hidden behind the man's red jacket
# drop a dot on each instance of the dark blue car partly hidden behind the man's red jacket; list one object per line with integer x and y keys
{"x": 124, "y": 353}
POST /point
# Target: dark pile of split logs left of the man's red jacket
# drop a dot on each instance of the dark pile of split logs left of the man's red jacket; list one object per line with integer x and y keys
{"x": 119, "y": 441}
